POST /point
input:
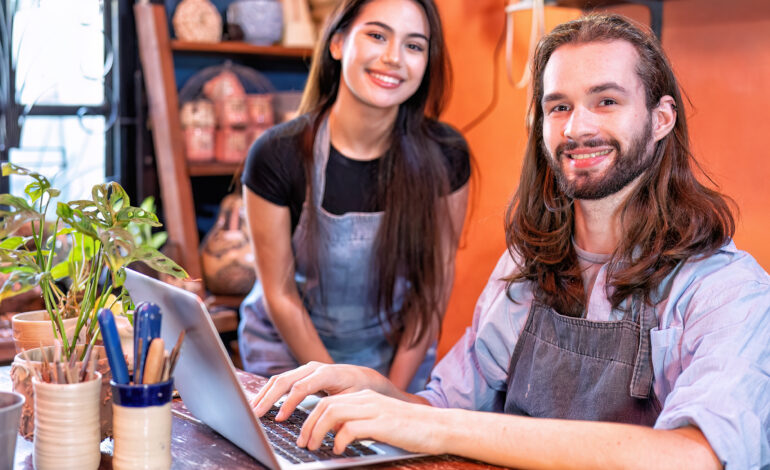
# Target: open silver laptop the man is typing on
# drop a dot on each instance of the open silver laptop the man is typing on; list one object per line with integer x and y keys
{"x": 206, "y": 381}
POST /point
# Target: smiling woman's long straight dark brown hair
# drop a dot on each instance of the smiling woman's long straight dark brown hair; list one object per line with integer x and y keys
{"x": 413, "y": 181}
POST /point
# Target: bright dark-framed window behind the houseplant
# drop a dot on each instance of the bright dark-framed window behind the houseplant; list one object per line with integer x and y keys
{"x": 57, "y": 92}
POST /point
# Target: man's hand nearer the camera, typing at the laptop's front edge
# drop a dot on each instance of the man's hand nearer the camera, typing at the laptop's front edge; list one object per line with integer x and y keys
{"x": 369, "y": 415}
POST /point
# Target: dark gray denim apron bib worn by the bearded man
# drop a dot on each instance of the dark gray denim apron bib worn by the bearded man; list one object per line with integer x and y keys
{"x": 573, "y": 368}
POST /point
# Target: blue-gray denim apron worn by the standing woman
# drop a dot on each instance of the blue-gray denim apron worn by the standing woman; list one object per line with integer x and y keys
{"x": 343, "y": 314}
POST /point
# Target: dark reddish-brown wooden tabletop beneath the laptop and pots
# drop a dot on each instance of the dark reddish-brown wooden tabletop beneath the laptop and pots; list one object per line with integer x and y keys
{"x": 195, "y": 445}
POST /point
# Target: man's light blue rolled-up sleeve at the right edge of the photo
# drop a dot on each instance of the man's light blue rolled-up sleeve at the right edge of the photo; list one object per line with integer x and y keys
{"x": 712, "y": 358}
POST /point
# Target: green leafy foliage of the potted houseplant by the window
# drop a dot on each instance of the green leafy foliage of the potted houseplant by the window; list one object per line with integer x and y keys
{"x": 79, "y": 259}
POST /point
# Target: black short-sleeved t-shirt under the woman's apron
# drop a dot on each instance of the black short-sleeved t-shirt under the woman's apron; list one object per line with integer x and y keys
{"x": 274, "y": 171}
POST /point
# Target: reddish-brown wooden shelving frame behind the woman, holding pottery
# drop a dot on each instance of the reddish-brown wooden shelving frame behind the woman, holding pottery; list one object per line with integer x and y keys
{"x": 156, "y": 51}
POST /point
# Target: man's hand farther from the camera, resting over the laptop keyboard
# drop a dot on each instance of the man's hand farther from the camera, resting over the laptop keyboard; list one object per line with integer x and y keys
{"x": 316, "y": 377}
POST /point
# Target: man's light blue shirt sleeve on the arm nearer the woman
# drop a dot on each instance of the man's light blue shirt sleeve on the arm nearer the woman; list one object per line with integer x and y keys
{"x": 474, "y": 373}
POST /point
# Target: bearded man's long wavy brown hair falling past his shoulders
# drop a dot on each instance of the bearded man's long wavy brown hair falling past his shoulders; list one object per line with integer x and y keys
{"x": 669, "y": 217}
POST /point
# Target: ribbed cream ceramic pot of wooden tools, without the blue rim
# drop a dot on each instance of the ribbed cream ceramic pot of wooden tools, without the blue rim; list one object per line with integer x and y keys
{"x": 67, "y": 425}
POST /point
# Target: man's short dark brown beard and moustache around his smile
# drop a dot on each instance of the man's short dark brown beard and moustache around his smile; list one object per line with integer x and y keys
{"x": 626, "y": 168}
